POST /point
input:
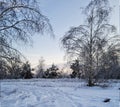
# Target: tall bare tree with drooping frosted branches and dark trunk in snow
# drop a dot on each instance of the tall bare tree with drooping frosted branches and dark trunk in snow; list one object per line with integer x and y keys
{"x": 87, "y": 42}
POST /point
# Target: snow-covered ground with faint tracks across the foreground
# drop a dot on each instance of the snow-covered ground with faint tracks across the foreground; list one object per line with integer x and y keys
{"x": 57, "y": 93}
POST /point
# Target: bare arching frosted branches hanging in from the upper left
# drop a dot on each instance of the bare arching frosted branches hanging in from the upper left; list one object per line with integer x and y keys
{"x": 19, "y": 19}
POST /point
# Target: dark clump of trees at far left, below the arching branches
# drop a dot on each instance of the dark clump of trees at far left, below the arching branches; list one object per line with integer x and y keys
{"x": 15, "y": 70}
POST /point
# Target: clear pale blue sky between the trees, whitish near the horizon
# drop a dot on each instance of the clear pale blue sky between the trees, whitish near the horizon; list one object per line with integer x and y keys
{"x": 62, "y": 14}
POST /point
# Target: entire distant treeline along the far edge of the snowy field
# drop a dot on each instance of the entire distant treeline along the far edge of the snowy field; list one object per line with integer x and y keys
{"x": 109, "y": 69}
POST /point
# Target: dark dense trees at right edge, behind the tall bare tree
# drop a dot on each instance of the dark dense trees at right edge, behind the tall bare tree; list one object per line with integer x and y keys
{"x": 110, "y": 67}
